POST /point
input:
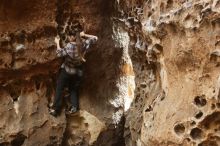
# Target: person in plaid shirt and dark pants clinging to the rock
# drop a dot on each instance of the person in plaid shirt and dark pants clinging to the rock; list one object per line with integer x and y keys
{"x": 71, "y": 70}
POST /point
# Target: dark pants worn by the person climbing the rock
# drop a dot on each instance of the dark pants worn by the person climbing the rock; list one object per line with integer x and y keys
{"x": 70, "y": 81}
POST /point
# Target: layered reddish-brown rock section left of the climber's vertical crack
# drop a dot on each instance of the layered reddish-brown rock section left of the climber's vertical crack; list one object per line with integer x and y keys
{"x": 28, "y": 64}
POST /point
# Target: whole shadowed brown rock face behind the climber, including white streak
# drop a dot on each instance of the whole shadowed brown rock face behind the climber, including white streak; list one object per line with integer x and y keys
{"x": 29, "y": 68}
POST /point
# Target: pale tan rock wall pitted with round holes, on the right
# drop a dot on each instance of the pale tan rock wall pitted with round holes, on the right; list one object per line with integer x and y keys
{"x": 174, "y": 49}
